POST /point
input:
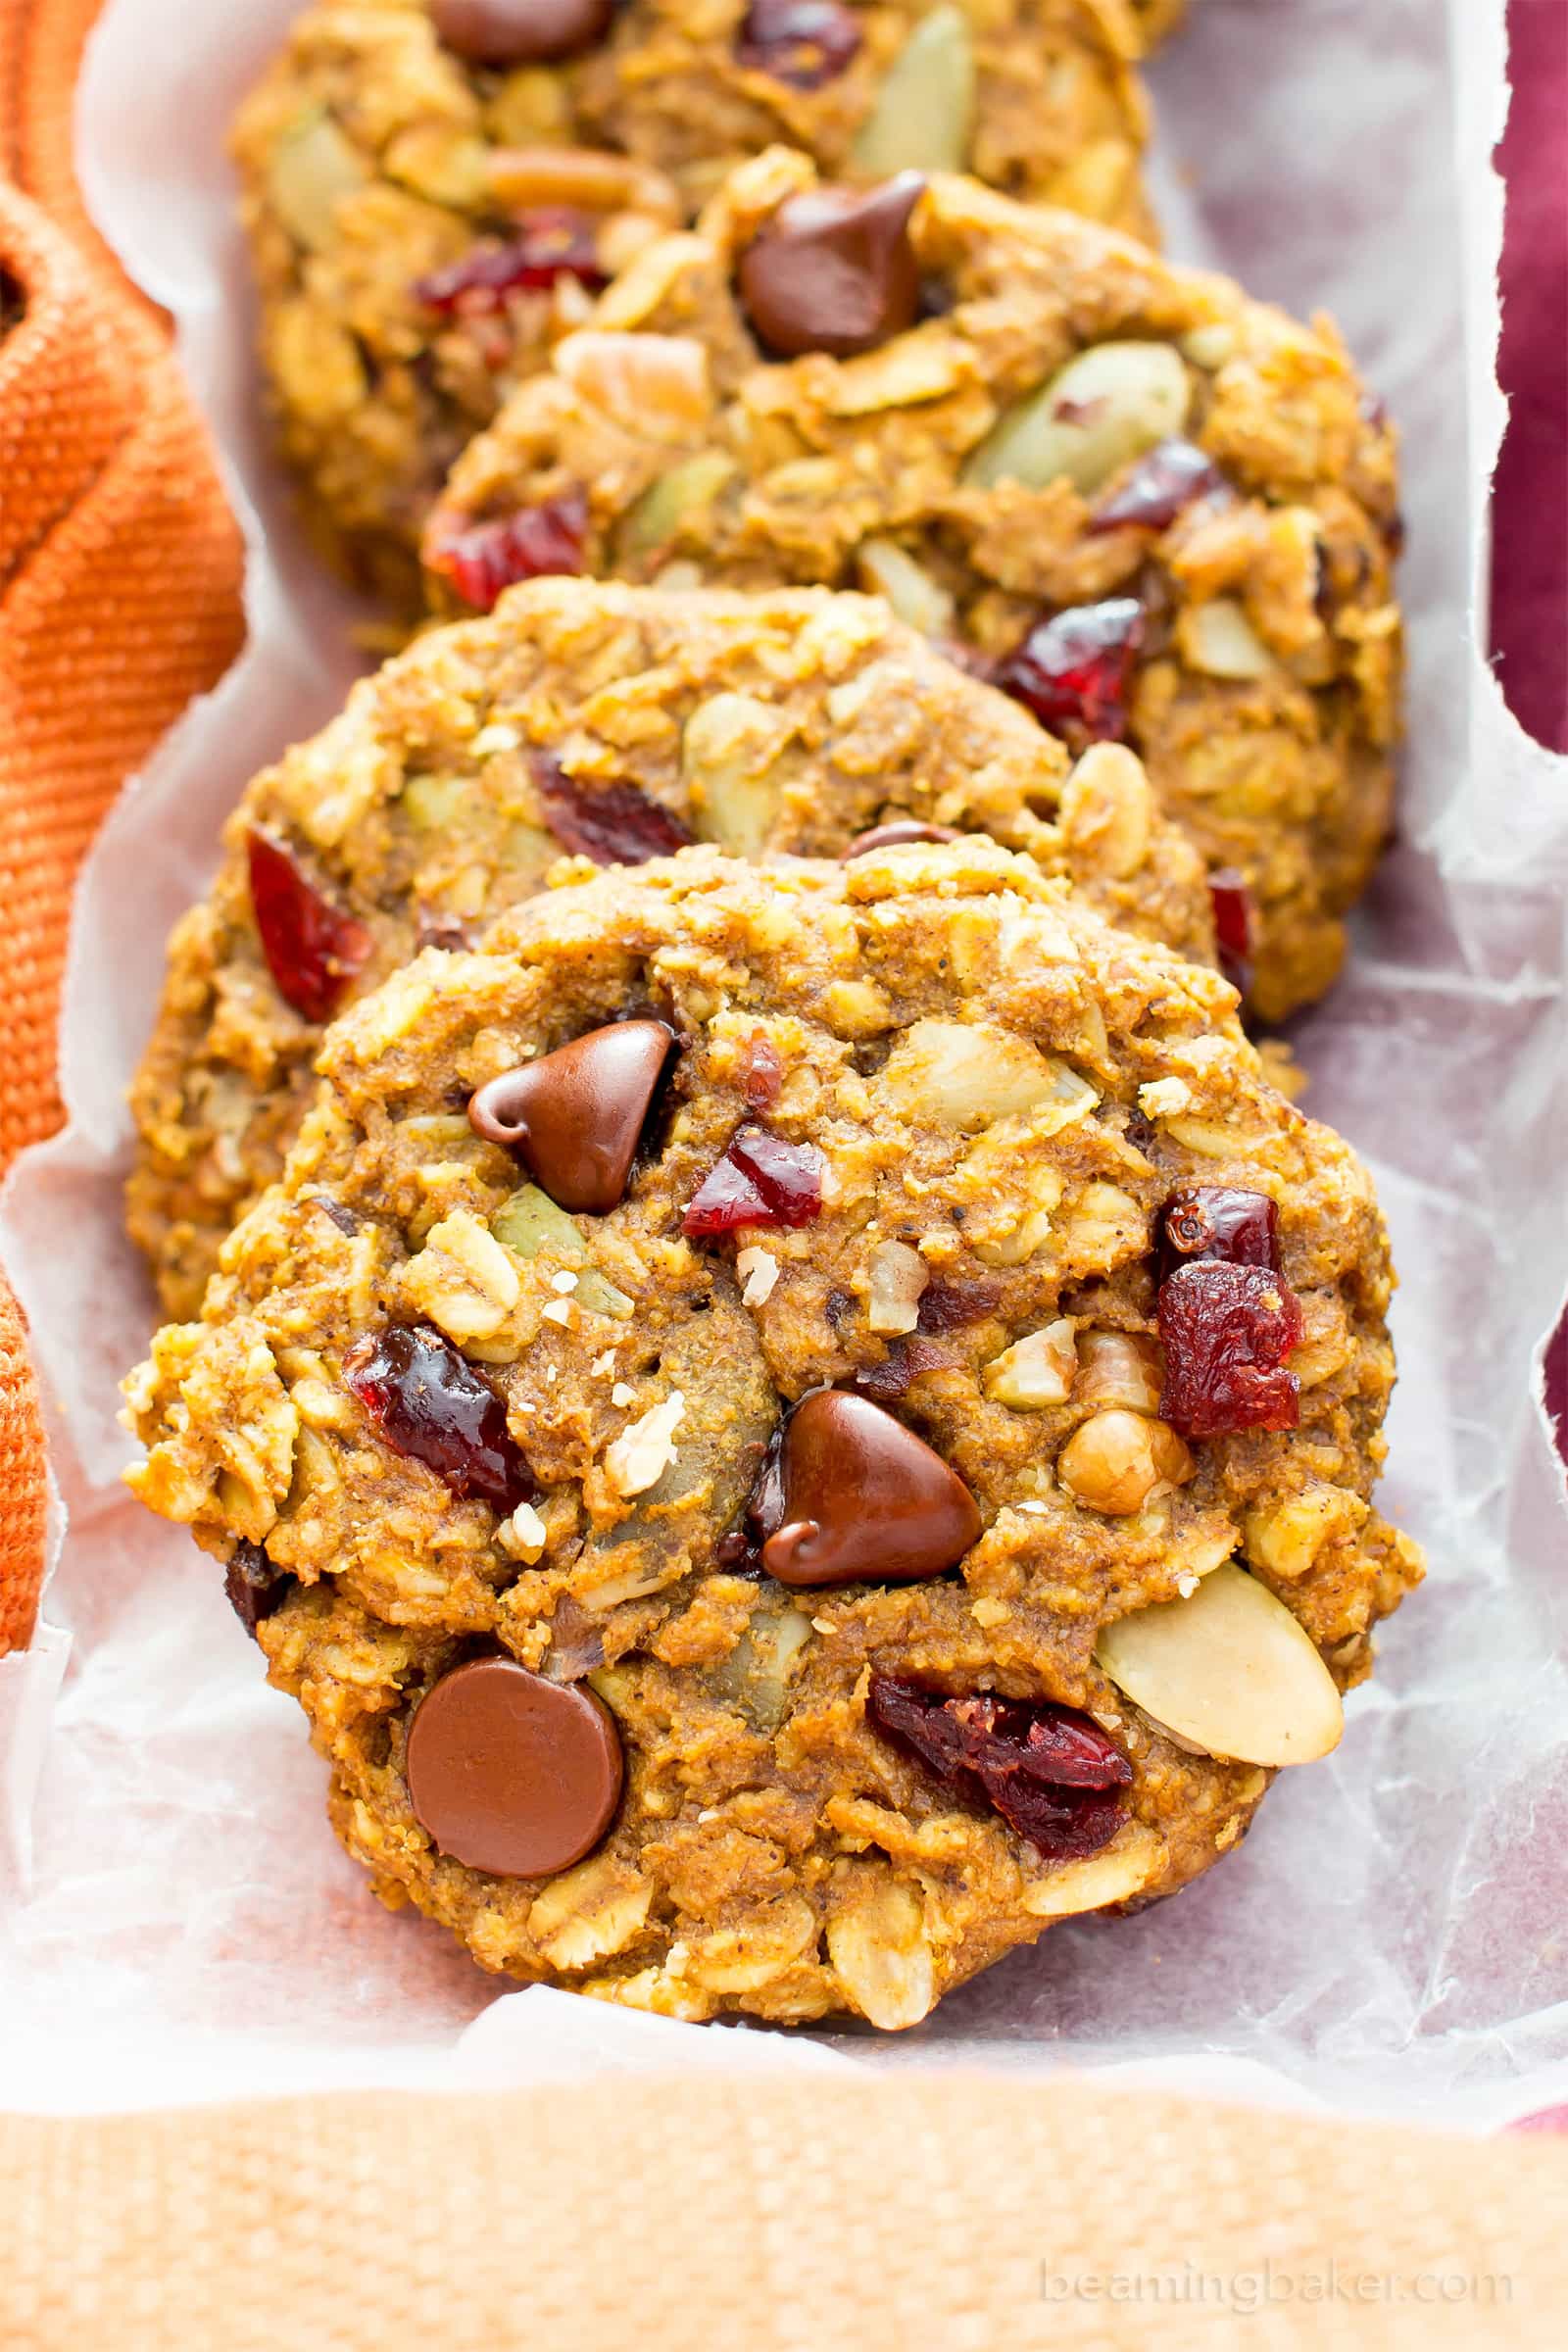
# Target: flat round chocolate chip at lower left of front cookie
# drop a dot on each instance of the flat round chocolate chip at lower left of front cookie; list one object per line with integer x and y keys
{"x": 509, "y": 1772}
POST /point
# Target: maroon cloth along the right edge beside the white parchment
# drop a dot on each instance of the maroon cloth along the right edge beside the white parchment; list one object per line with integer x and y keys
{"x": 1532, "y": 493}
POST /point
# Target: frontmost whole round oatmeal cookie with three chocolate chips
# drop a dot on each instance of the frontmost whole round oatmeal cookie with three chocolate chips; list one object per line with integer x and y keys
{"x": 791, "y": 1426}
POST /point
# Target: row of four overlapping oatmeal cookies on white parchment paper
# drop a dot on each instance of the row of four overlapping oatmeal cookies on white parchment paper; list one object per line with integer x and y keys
{"x": 751, "y": 1325}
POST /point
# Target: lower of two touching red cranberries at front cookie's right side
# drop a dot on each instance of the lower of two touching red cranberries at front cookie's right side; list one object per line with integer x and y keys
{"x": 1228, "y": 1332}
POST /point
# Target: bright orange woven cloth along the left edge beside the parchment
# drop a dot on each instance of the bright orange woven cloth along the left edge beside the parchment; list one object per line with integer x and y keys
{"x": 119, "y": 601}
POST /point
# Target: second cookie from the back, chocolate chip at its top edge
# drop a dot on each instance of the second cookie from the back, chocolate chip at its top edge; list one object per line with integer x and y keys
{"x": 1148, "y": 507}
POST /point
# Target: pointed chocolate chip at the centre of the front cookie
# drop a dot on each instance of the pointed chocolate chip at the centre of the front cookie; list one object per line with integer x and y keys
{"x": 864, "y": 1499}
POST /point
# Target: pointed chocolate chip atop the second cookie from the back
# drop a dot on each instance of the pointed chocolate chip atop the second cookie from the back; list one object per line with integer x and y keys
{"x": 836, "y": 269}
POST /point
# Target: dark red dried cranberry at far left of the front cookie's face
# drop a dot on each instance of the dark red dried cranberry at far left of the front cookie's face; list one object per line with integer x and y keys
{"x": 431, "y": 1405}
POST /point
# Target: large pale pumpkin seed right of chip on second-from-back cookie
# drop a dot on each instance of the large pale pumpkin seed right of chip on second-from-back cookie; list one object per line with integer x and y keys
{"x": 1097, "y": 415}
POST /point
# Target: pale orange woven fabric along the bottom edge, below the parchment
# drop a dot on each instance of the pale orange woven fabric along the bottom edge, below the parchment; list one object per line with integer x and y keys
{"x": 946, "y": 2214}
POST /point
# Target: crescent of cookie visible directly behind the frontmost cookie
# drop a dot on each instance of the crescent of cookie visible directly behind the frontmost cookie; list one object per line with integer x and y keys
{"x": 579, "y": 721}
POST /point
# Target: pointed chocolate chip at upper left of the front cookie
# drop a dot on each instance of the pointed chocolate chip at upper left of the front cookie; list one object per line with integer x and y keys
{"x": 575, "y": 1118}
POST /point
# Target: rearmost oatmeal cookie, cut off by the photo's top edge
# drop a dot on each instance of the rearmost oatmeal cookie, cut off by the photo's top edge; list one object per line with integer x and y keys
{"x": 434, "y": 189}
